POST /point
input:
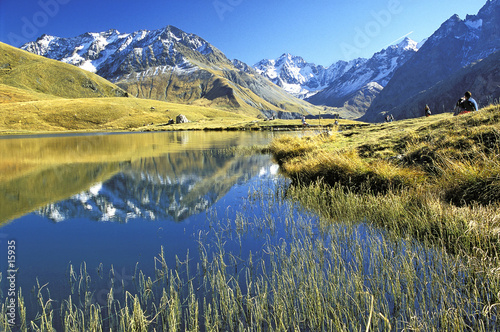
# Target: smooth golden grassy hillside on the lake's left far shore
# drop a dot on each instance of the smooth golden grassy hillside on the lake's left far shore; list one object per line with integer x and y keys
{"x": 39, "y": 94}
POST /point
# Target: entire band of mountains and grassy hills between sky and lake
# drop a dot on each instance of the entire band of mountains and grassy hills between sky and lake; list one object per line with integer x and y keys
{"x": 132, "y": 81}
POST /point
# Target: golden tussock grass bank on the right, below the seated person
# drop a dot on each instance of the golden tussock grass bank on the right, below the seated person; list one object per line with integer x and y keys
{"x": 406, "y": 153}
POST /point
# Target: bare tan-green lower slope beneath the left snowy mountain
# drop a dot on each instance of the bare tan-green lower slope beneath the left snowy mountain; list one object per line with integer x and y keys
{"x": 222, "y": 89}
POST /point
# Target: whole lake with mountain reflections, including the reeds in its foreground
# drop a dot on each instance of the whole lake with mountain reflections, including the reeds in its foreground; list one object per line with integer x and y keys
{"x": 193, "y": 231}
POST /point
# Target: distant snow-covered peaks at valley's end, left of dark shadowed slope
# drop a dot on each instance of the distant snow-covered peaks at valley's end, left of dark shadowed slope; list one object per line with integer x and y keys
{"x": 344, "y": 84}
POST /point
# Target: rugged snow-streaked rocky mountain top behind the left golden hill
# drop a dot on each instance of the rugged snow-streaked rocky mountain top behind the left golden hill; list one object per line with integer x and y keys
{"x": 112, "y": 54}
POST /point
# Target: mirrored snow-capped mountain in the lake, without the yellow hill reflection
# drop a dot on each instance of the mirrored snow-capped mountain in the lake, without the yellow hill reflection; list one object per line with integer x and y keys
{"x": 171, "y": 187}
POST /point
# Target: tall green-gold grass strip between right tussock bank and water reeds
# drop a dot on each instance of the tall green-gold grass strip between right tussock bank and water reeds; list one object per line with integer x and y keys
{"x": 471, "y": 231}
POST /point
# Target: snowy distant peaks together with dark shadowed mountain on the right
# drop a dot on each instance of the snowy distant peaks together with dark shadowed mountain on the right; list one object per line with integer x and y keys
{"x": 391, "y": 80}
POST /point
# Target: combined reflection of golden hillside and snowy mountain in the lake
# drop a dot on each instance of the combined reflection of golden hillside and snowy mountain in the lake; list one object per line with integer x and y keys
{"x": 171, "y": 174}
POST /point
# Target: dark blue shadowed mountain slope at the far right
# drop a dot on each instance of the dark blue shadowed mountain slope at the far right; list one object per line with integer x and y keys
{"x": 456, "y": 44}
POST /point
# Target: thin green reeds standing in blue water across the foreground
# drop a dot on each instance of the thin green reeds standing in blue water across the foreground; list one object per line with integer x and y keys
{"x": 308, "y": 274}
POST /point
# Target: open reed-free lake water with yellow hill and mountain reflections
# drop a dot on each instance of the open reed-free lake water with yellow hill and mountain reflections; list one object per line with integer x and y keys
{"x": 116, "y": 199}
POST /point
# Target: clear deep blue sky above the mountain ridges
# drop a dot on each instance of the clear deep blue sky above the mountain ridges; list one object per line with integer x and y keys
{"x": 321, "y": 31}
